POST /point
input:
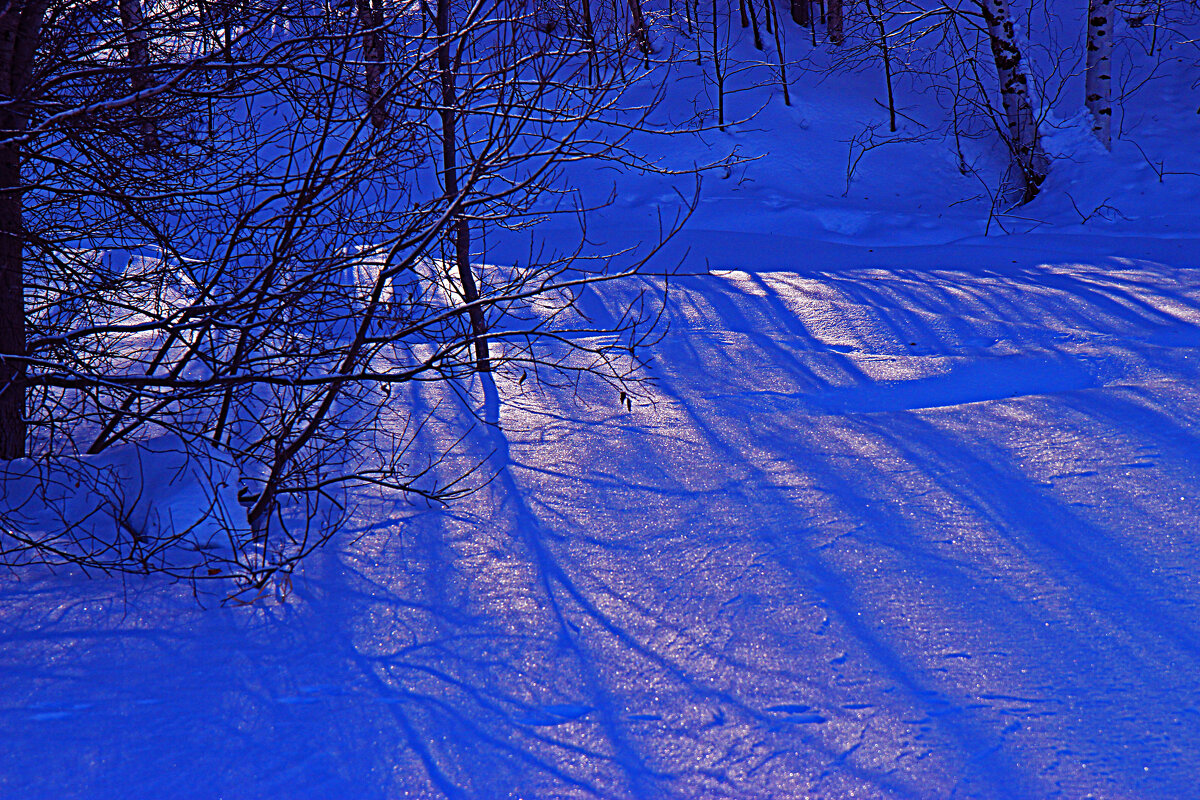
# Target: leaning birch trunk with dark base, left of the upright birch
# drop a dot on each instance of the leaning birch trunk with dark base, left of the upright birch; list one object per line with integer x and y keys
{"x": 1023, "y": 129}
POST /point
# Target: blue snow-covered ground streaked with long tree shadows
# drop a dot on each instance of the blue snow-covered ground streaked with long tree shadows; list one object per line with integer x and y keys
{"x": 910, "y": 512}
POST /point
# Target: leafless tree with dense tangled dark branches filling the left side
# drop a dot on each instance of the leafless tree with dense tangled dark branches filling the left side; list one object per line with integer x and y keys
{"x": 269, "y": 287}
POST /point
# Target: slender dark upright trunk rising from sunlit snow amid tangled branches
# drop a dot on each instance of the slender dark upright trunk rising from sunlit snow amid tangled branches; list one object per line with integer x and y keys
{"x": 459, "y": 227}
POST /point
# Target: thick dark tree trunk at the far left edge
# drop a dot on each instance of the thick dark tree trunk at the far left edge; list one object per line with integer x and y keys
{"x": 21, "y": 25}
